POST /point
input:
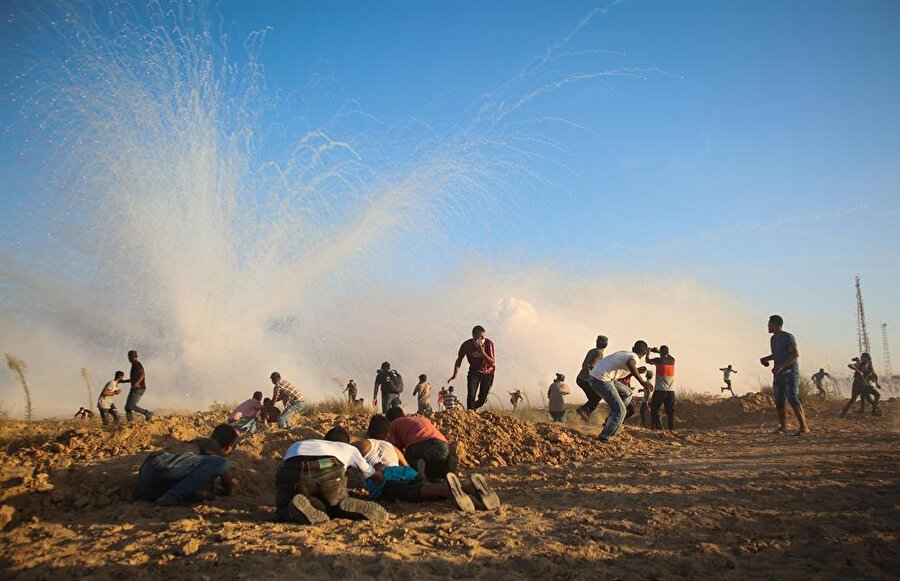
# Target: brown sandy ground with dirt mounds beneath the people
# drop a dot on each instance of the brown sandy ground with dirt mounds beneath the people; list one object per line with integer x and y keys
{"x": 723, "y": 499}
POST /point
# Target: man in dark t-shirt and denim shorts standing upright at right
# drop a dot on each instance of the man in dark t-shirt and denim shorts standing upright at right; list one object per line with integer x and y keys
{"x": 785, "y": 374}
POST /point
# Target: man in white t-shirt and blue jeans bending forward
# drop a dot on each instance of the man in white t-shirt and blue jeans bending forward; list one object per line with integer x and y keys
{"x": 604, "y": 380}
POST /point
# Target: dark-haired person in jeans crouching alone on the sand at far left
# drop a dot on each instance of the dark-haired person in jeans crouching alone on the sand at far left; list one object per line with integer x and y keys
{"x": 182, "y": 472}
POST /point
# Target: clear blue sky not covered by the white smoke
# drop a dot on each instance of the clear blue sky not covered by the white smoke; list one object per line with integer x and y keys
{"x": 757, "y": 150}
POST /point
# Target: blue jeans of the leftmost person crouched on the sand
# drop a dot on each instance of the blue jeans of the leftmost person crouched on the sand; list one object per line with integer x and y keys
{"x": 178, "y": 475}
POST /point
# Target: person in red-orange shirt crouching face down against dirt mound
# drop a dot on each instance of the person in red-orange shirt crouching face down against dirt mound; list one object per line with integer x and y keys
{"x": 425, "y": 447}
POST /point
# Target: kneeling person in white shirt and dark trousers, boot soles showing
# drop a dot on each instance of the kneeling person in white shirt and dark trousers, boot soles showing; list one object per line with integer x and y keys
{"x": 311, "y": 482}
